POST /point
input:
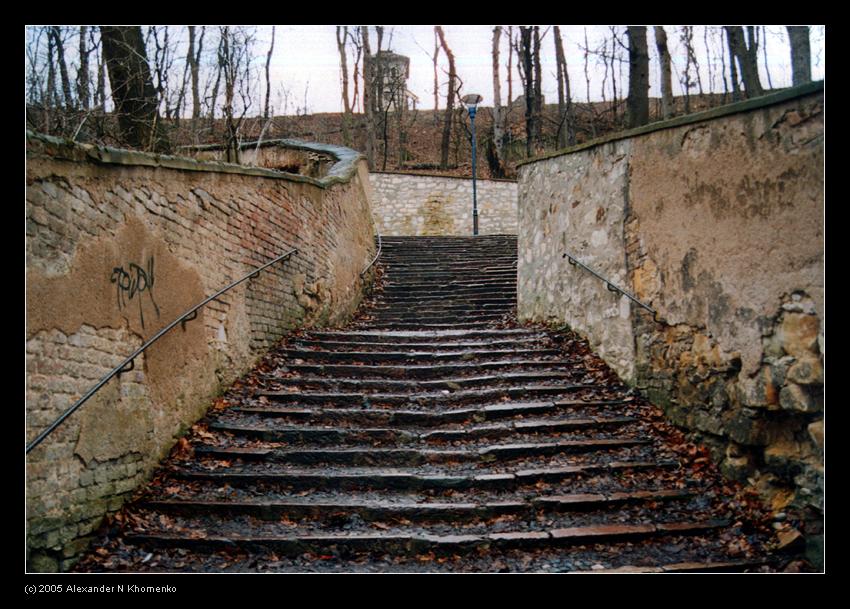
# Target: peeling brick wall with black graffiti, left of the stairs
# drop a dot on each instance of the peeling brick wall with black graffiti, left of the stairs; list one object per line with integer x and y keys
{"x": 118, "y": 245}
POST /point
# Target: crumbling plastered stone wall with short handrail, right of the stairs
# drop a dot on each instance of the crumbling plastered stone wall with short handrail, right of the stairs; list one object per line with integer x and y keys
{"x": 716, "y": 220}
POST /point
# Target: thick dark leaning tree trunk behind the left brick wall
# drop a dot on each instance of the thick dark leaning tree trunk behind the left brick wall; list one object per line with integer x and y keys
{"x": 132, "y": 89}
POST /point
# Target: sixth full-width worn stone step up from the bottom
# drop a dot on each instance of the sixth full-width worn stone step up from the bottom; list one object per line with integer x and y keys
{"x": 429, "y": 417}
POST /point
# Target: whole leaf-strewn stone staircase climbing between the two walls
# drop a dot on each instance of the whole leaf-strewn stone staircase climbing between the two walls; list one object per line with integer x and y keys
{"x": 434, "y": 434}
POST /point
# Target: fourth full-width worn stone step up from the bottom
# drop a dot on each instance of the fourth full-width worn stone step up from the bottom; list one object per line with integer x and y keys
{"x": 415, "y": 456}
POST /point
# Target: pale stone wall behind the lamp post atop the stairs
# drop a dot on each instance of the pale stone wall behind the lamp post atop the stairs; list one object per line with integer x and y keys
{"x": 410, "y": 204}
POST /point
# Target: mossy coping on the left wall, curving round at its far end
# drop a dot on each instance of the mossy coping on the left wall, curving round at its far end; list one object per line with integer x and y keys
{"x": 340, "y": 173}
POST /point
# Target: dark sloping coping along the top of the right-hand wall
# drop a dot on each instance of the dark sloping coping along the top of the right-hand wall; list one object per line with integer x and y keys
{"x": 688, "y": 119}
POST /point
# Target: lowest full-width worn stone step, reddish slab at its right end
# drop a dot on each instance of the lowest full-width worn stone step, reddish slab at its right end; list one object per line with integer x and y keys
{"x": 402, "y": 542}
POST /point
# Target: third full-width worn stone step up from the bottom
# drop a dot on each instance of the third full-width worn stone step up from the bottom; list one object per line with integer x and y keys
{"x": 380, "y": 478}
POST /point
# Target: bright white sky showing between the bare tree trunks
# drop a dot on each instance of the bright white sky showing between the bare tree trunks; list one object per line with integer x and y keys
{"x": 306, "y": 62}
